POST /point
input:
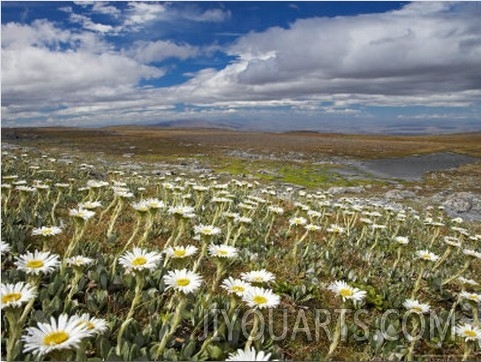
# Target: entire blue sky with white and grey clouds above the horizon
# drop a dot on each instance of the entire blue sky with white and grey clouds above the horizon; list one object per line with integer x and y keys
{"x": 395, "y": 67}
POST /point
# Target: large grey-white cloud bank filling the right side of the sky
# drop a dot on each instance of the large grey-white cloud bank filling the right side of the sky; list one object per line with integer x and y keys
{"x": 421, "y": 52}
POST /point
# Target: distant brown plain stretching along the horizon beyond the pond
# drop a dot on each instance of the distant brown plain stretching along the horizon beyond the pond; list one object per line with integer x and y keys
{"x": 182, "y": 142}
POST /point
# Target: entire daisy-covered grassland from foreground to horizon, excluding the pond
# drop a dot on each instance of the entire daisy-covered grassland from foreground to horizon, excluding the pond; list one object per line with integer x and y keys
{"x": 195, "y": 263}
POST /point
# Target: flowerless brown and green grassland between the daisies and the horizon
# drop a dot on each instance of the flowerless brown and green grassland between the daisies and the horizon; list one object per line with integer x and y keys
{"x": 301, "y": 158}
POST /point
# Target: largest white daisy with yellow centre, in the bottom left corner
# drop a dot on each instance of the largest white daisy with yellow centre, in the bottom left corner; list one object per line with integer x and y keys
{"x": 64, "y": 333}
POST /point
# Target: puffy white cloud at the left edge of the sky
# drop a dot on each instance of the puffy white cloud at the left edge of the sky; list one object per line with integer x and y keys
{"x": 43, "y": 66}
